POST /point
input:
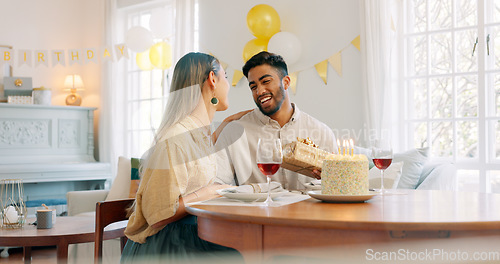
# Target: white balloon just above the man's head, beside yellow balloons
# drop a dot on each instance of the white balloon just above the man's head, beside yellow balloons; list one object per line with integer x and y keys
{"x": 287, "y": 45}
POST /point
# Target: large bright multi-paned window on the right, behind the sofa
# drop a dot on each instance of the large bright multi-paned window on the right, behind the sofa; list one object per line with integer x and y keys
{"x": 452, "y": 85}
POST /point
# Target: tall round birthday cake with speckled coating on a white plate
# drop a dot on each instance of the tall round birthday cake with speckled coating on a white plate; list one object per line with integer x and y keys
{"x": 344, "y": 175}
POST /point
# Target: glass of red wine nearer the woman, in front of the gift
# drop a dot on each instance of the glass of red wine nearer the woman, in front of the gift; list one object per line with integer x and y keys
{"x": 269, "y": 158}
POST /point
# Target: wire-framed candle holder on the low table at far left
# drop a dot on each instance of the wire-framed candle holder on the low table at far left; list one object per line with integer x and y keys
{"x": 12, "y": 206}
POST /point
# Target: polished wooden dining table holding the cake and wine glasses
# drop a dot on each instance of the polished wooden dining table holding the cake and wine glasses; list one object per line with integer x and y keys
{"x": 414, "y": 216}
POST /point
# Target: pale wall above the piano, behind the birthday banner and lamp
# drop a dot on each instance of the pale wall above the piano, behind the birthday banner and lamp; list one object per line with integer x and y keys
{"x": 56, "y": 24}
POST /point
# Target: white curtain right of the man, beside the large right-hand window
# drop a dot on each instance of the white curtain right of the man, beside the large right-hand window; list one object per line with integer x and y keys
{"x": 377, "y": 44}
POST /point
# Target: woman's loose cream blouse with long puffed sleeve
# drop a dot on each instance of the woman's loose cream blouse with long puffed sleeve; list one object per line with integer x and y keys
{"x": 181, "y": 163}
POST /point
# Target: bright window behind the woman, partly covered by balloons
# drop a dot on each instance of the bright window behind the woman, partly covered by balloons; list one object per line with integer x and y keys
{"x": 145, "y": 93}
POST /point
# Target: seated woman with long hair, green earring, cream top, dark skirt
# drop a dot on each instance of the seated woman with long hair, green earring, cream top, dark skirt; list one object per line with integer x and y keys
{"x": 179, "y": 168}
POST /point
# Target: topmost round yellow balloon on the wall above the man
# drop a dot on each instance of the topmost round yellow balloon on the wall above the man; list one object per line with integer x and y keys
{"x": 263, "y": 21}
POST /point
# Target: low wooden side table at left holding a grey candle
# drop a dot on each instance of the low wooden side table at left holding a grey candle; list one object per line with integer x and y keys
{"x": 67, "y": 230}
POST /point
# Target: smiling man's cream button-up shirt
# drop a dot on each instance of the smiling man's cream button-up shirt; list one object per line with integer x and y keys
{"x": 237, "y": 146}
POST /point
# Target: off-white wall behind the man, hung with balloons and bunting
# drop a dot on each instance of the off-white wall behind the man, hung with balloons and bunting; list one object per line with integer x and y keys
{"x": 323, "y": 27}
